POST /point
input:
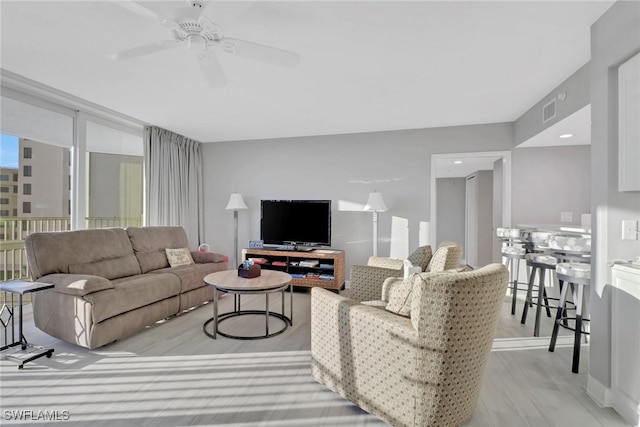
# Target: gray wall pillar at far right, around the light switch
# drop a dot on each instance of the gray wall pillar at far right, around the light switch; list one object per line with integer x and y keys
{"x": 615, "y": 37}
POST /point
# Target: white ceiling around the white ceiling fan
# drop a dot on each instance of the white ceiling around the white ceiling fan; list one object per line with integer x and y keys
{"x": 365, "y": 65}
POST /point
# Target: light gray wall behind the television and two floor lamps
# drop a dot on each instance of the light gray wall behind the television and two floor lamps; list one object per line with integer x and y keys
{"x": 343, "y": 168}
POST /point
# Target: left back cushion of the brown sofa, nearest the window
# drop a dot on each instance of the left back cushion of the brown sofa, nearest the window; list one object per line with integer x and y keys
{"x": 104, "y": 252}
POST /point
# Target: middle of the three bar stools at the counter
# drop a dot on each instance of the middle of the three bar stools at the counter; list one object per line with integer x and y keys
{"x": 539, "y": 262}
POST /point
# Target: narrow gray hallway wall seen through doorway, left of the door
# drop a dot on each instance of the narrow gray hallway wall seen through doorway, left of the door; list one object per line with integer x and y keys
{"x": 450, "y": 209}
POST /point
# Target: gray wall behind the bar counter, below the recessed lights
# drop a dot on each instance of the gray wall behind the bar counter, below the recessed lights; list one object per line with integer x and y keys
{"x": 549, "y": 180}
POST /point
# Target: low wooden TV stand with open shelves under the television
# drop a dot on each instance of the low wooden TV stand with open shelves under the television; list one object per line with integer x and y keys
{"x": 330, "y": 262}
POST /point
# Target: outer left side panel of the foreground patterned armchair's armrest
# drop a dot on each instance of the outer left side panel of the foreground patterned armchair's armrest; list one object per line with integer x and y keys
{"x": 365, "y": 354}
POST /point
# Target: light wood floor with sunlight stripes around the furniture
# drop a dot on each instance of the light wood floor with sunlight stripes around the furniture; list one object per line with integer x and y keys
{"x": 172, "y": 374}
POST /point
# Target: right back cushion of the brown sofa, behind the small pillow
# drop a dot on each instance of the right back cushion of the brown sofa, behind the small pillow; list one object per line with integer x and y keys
{"x": 149, "y": 244}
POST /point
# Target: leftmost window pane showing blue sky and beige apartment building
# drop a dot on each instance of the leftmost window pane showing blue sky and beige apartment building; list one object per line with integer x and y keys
{"x": 37, "y": 139}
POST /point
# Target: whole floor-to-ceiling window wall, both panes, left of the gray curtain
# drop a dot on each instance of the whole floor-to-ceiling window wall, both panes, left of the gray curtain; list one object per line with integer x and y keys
{"x": 60, "y": 169}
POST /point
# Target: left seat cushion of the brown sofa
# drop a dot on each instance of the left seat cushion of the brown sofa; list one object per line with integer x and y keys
{"x": 130, "y": 293}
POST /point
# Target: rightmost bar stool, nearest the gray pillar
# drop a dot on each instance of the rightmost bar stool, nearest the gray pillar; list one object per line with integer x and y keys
{"x": 576, "y": 271}
